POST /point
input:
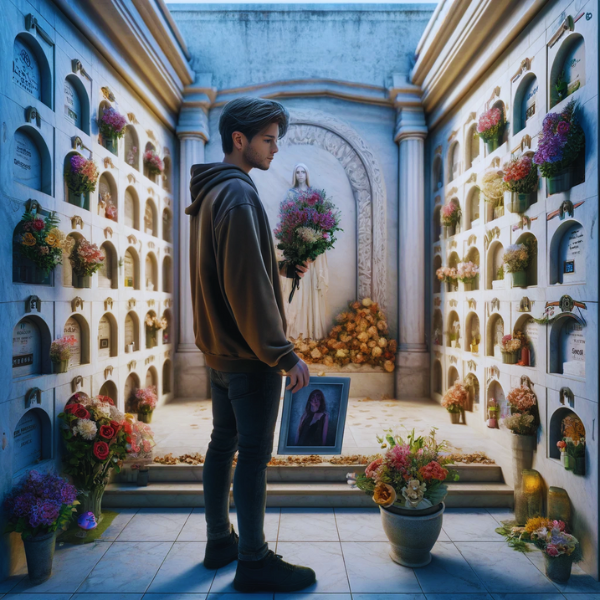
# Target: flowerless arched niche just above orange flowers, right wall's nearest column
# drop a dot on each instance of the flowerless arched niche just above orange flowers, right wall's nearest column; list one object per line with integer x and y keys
{"x": 567, "y": 346}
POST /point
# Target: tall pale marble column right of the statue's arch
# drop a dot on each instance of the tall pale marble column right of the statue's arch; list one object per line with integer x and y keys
{"x": 412, "y": 368}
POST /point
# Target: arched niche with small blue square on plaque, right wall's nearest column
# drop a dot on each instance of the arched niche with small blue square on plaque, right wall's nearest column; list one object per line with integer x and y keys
{"x": 568, "y": 254}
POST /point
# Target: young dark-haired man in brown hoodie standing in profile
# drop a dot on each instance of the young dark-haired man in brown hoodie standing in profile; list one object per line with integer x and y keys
{"x": 240, "y": 326}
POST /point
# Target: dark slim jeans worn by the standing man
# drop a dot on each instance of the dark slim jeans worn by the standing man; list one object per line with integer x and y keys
{"x": 245, "y": 408}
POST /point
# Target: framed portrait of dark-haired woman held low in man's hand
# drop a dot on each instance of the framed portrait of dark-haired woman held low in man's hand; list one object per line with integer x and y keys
{"x": 313, "y": 419}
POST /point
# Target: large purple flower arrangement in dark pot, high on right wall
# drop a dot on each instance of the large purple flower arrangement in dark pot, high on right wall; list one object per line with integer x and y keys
{"x": 561, "y": 142}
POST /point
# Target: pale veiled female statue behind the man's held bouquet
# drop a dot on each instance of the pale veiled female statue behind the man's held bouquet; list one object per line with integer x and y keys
{"x": 306, "y": 314}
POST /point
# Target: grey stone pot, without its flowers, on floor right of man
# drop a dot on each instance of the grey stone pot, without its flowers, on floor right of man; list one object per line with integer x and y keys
{"x": 412, "y": 533}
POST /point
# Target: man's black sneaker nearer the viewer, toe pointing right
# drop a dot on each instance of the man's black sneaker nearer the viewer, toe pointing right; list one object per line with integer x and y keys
{"x": 272, "y": 574}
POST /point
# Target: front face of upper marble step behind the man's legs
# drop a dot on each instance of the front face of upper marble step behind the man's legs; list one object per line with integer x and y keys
{"x": 313, "y": 473}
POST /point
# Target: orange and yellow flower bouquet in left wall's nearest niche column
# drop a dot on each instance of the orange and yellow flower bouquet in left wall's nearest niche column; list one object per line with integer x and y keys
{"x": 40, "y": 240}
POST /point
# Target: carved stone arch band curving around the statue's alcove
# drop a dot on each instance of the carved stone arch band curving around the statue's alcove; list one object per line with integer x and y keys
{"x": 317, "y": 128}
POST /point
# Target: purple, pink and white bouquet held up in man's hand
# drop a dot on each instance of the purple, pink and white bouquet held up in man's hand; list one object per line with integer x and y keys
{"x": 306, "y": 229}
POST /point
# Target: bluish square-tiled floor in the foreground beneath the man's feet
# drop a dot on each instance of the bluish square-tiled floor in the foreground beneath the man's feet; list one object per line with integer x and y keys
{"x": 156, "y": 554}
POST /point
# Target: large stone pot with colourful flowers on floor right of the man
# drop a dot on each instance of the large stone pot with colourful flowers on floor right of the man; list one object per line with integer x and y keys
{"x": 408, "y": 484}
